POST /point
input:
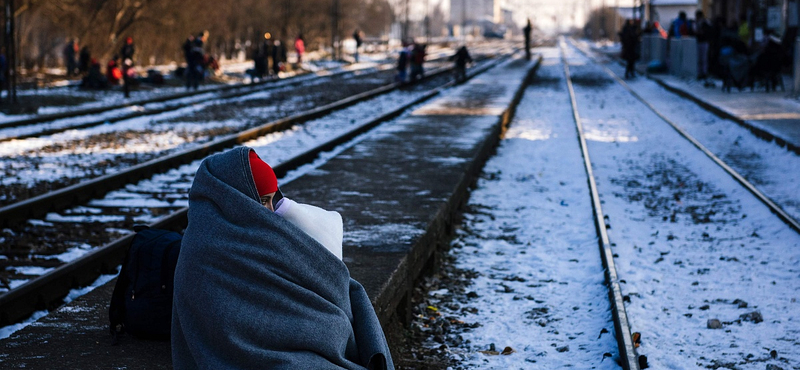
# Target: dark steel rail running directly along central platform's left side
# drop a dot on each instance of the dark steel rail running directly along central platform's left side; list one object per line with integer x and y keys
{"x": 47, "y": 291}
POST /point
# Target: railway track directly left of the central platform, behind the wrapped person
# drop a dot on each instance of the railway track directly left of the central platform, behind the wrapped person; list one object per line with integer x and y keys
{"x": 89, "y": 229}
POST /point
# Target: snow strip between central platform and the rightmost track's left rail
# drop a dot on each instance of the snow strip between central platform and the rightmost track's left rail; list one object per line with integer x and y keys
{"x": 529, "y": 239}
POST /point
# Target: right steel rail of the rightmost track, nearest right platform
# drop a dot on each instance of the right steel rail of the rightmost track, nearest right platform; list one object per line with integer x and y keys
{"x": 775, "y": 208}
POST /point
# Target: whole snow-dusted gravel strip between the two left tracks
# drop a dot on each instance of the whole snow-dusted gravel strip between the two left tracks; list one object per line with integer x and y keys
{"x": 80, "y": 155}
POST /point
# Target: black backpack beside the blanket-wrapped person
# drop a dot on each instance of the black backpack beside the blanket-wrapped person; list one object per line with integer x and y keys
{"x": 142, "y": 301}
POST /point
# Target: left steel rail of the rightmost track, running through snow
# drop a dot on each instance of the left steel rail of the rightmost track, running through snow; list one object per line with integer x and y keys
{"x": 627, "y": 351}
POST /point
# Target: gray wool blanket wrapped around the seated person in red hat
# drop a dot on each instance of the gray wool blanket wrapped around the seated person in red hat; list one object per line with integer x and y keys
{"x": 252, "y": 291}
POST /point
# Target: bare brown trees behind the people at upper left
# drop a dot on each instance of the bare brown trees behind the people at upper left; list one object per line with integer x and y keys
{"x": 160, "y": 26}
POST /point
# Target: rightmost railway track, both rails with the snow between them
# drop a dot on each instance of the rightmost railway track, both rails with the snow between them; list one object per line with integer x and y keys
{"x": 702, "y": 215}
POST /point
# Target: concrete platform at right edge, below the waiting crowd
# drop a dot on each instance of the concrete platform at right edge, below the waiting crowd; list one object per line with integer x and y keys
{"x": 771, "y": 115}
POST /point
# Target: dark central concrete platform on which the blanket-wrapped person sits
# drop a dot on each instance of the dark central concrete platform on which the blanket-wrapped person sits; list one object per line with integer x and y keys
{"x": 398, "y": 191}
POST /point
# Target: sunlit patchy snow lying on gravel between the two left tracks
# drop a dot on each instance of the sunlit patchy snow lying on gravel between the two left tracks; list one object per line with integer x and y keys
{"x": 161, "y": 132}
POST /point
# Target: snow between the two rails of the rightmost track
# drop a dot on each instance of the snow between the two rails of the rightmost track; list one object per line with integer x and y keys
{"x": 696, "y": 251}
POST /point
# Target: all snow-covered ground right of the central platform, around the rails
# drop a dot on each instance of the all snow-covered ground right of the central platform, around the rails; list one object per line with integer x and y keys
{"x": 711, "y": 277}
